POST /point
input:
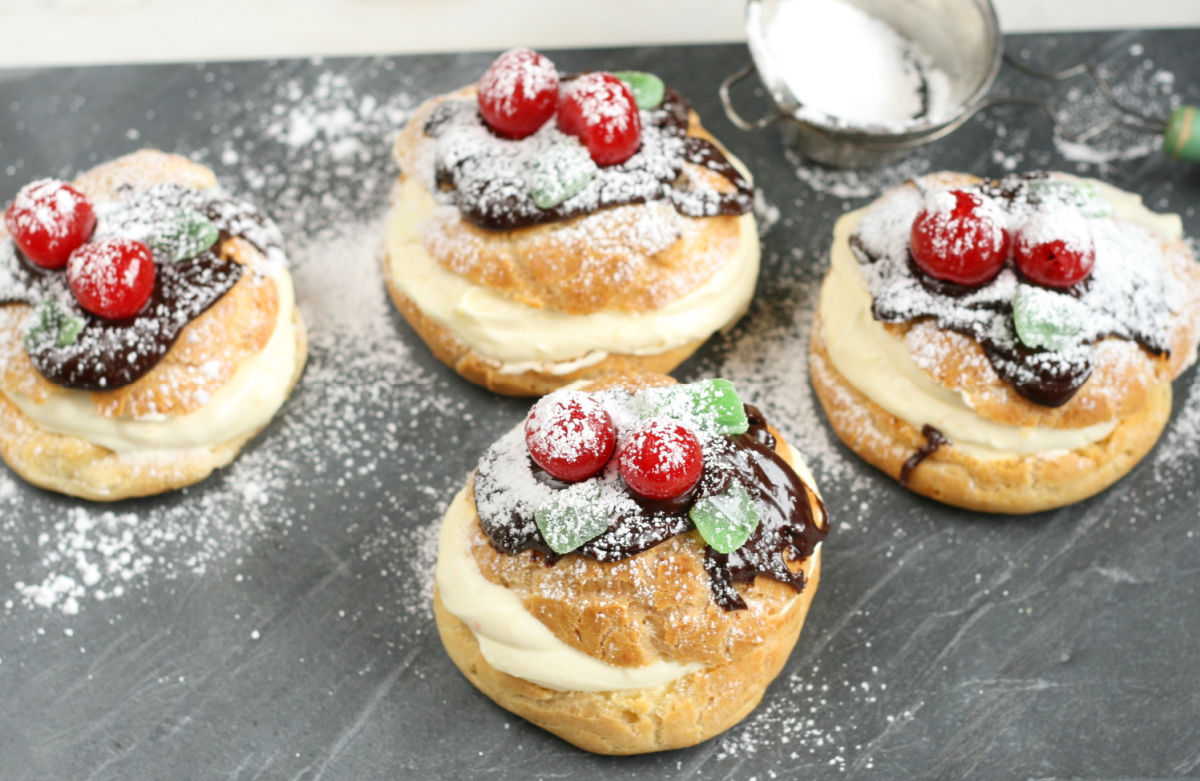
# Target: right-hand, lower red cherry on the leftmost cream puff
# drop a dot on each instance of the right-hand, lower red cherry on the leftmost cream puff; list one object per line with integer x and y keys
{"x": 113, "y": 278}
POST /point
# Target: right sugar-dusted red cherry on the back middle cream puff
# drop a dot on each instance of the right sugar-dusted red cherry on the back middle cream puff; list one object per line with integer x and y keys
{"x": 599, "y": 110}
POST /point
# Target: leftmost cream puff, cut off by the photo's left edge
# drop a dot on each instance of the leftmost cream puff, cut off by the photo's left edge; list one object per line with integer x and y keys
{"x": 148, "y": 328}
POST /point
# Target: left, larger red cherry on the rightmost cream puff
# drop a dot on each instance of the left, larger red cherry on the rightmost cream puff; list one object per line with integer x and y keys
{"x": 959, "y": 237}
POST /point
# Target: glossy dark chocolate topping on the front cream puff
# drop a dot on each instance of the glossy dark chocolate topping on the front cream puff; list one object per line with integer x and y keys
{"x": 508, "y": 486}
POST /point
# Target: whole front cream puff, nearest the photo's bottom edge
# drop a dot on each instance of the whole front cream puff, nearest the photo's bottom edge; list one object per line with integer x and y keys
{"x": 632, "y": 568}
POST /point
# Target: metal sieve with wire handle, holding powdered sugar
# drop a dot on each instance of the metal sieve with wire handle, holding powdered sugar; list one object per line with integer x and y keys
{"x": 965, "y": 43}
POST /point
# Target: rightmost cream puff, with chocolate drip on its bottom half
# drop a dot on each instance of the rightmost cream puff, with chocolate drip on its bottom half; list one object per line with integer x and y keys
{"x": 1005, "y": 346}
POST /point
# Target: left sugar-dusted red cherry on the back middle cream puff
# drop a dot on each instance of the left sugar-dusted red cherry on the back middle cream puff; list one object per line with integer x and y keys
{"x": 518, "y": 93}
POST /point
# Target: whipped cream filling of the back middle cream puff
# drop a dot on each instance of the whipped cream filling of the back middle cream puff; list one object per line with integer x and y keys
{"x": 521, "y": 339}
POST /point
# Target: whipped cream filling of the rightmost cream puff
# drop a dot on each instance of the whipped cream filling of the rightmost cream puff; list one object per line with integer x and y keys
{"x": 879, "y": 365}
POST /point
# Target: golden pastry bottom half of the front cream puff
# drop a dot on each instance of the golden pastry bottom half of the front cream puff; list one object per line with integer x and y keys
{"x": 683, "y": 713}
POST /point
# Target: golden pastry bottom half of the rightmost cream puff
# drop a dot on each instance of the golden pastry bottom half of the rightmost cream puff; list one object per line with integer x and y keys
{"x": 1011, "y": 485}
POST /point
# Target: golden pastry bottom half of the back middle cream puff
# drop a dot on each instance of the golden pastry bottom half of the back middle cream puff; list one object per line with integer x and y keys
{"x": 476, "y": 369}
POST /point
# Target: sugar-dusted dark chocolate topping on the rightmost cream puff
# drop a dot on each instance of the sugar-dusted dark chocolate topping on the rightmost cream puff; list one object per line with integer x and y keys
{"x": 1124, "y": 297}
